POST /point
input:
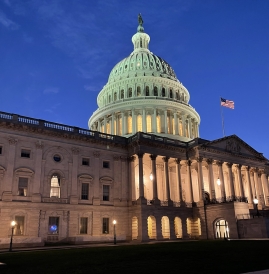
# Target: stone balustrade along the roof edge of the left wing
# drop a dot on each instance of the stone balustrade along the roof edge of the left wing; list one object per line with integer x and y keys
{"x": 42, "y": 124}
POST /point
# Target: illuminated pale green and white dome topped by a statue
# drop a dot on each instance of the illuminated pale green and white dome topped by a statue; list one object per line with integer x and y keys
{"x": 144, "y": 94}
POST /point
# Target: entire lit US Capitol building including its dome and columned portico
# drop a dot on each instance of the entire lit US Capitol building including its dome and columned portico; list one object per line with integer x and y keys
{"x": 140, "y": 164}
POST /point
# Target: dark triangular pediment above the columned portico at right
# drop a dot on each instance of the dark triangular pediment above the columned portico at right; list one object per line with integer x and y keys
{"x": 235, "y": 146}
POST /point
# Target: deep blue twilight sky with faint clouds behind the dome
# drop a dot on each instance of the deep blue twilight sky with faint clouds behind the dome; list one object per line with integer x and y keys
{"x": 56, "y": 55}
